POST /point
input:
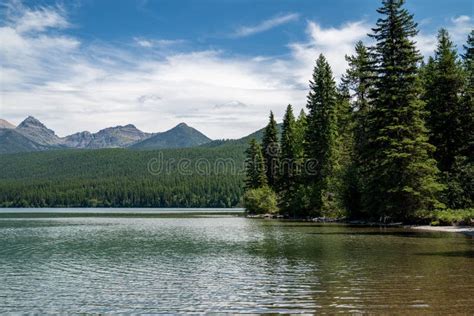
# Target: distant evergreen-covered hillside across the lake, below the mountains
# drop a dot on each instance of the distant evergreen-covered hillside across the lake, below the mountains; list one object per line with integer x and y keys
{"x": 191, "y": 177}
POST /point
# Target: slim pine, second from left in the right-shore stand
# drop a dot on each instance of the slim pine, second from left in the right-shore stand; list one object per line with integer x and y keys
{"x": 271, "y": 151}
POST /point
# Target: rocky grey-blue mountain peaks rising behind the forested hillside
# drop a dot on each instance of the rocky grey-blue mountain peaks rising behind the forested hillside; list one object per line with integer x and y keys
{"x": 32, "y": 135}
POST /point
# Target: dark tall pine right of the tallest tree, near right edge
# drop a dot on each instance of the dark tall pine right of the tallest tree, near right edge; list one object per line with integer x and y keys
{"x": 450, "y": 121}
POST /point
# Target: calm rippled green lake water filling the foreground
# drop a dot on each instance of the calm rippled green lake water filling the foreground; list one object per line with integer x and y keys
{"x": 224, "y": 263}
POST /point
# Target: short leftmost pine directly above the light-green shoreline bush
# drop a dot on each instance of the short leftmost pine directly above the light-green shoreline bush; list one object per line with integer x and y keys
{"x": 255, "y": 167}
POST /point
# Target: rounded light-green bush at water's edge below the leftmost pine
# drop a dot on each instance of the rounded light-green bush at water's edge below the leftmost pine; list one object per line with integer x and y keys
{"x": 260, "y": 201}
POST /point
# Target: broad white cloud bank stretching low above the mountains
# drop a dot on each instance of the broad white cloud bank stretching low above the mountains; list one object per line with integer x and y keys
{"x": 73, "y": 86}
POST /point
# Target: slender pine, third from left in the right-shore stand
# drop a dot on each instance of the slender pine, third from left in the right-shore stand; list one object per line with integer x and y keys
{"x": 288, "y": 161}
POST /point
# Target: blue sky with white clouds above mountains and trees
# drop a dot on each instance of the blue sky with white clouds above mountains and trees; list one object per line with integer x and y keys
{"x": 217, "y": 65}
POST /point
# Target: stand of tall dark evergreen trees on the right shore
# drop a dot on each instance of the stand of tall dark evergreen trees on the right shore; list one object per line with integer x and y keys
{"x": 392, "y": 142}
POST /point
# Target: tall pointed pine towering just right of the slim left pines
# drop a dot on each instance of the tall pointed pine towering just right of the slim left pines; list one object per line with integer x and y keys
{"x": 321, "y": 136}
